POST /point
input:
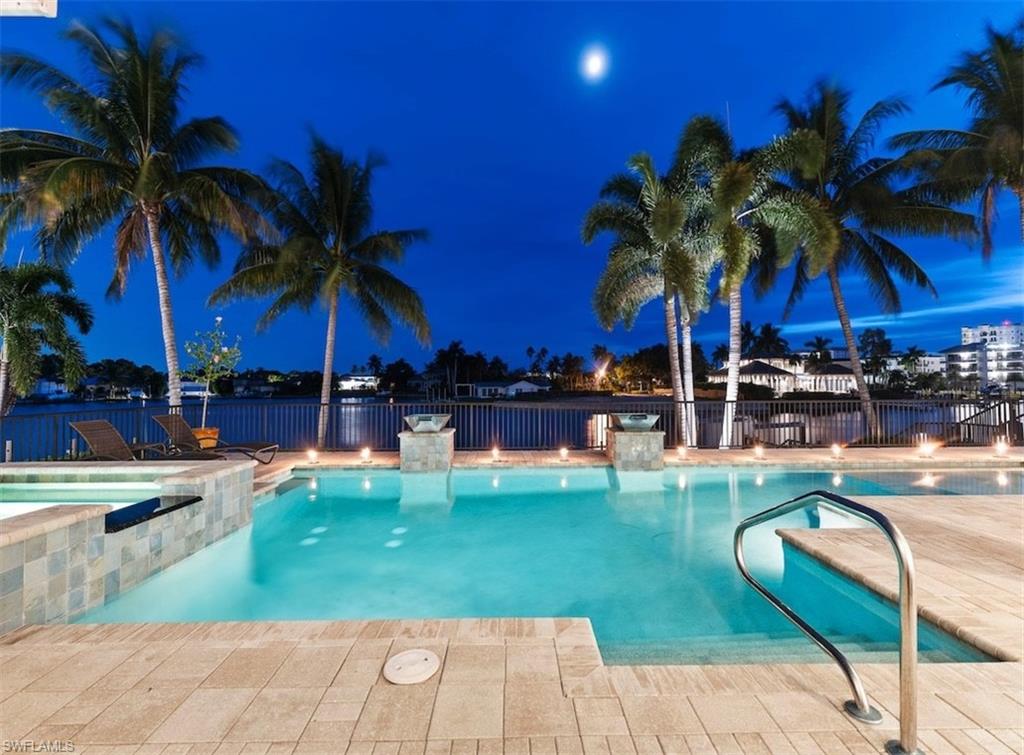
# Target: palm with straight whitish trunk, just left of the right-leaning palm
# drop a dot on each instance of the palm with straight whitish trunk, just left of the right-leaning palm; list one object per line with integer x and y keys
{"x": 752, "y": 213}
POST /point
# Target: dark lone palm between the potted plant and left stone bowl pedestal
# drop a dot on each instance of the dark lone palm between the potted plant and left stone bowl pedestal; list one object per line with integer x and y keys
{"x": 329, "y": 250}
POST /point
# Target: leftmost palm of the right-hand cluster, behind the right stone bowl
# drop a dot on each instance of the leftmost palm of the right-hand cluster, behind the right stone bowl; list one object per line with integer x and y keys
{"x": 649, "y": 260}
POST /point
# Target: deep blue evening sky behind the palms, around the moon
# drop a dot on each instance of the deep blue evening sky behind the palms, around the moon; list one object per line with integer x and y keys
{"x": 498, "y": 147}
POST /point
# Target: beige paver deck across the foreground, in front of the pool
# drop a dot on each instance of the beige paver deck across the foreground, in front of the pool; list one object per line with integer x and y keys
{"x": 506, "y": 686}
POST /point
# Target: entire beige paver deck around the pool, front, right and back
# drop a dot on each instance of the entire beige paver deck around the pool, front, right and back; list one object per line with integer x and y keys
{"x": 539, "y": 686}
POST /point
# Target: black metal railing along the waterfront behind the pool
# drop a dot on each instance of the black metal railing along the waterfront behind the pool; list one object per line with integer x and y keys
{"x": 577, "y": 425}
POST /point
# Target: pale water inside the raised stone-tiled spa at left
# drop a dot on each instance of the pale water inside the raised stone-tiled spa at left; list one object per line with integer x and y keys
{"x": 20, "y": 498}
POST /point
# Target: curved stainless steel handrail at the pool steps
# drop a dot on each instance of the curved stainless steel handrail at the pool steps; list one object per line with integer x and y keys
{"x": 860, "y": 708}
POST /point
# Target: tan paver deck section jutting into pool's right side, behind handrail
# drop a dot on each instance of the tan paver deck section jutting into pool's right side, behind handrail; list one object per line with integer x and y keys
{"x": 957, "y": 592}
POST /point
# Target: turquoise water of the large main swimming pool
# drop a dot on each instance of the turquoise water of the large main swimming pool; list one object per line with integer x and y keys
{"x": 647, "y": 557}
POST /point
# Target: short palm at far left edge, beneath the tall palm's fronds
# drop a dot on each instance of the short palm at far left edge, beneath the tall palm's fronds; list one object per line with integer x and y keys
{"x": 37, "y": 301}
